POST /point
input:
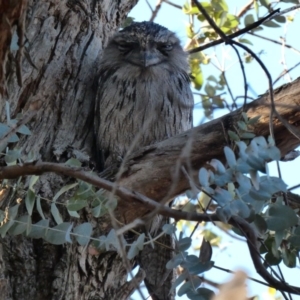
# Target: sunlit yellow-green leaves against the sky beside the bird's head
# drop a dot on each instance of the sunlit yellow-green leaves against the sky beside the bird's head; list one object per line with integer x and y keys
{"x": 213, "y": 89}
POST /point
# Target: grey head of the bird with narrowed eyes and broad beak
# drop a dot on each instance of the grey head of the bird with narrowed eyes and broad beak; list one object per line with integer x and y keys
{"x": 145, "y": 45}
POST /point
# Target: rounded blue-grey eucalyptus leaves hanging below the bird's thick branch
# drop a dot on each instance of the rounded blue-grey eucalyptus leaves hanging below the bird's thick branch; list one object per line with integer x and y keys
{"x": 236, "y": 189}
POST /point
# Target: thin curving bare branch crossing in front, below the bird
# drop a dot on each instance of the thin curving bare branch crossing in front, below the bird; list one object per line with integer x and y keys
{"x": 38, "y": 168}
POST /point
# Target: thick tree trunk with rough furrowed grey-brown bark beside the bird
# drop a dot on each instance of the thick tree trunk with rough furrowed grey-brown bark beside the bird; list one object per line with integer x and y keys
{"x": 62, "y": 47}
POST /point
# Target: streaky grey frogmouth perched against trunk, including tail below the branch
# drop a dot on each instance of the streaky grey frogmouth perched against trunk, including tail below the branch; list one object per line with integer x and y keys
{"x": 143, "y": 97}
